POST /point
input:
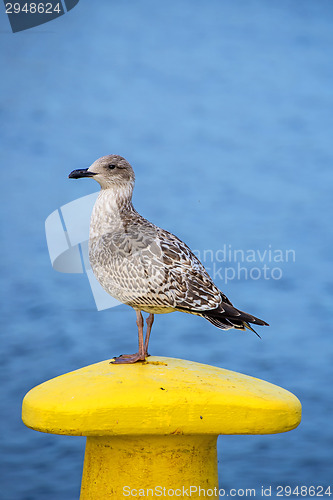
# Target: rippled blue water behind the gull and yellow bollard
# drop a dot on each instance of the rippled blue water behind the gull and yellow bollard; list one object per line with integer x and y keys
{"x": 225, "y": 110}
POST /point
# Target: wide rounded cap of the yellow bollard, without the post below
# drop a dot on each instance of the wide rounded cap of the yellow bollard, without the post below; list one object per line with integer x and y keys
{"x": 163, "y": 396}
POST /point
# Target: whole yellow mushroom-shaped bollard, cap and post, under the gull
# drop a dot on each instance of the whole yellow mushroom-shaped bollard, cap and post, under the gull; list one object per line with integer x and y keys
{"x": 152, "y": 427}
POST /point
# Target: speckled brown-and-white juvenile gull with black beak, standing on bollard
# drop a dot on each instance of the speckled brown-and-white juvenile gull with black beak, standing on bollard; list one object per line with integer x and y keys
{"x": 145, "y": 266}
